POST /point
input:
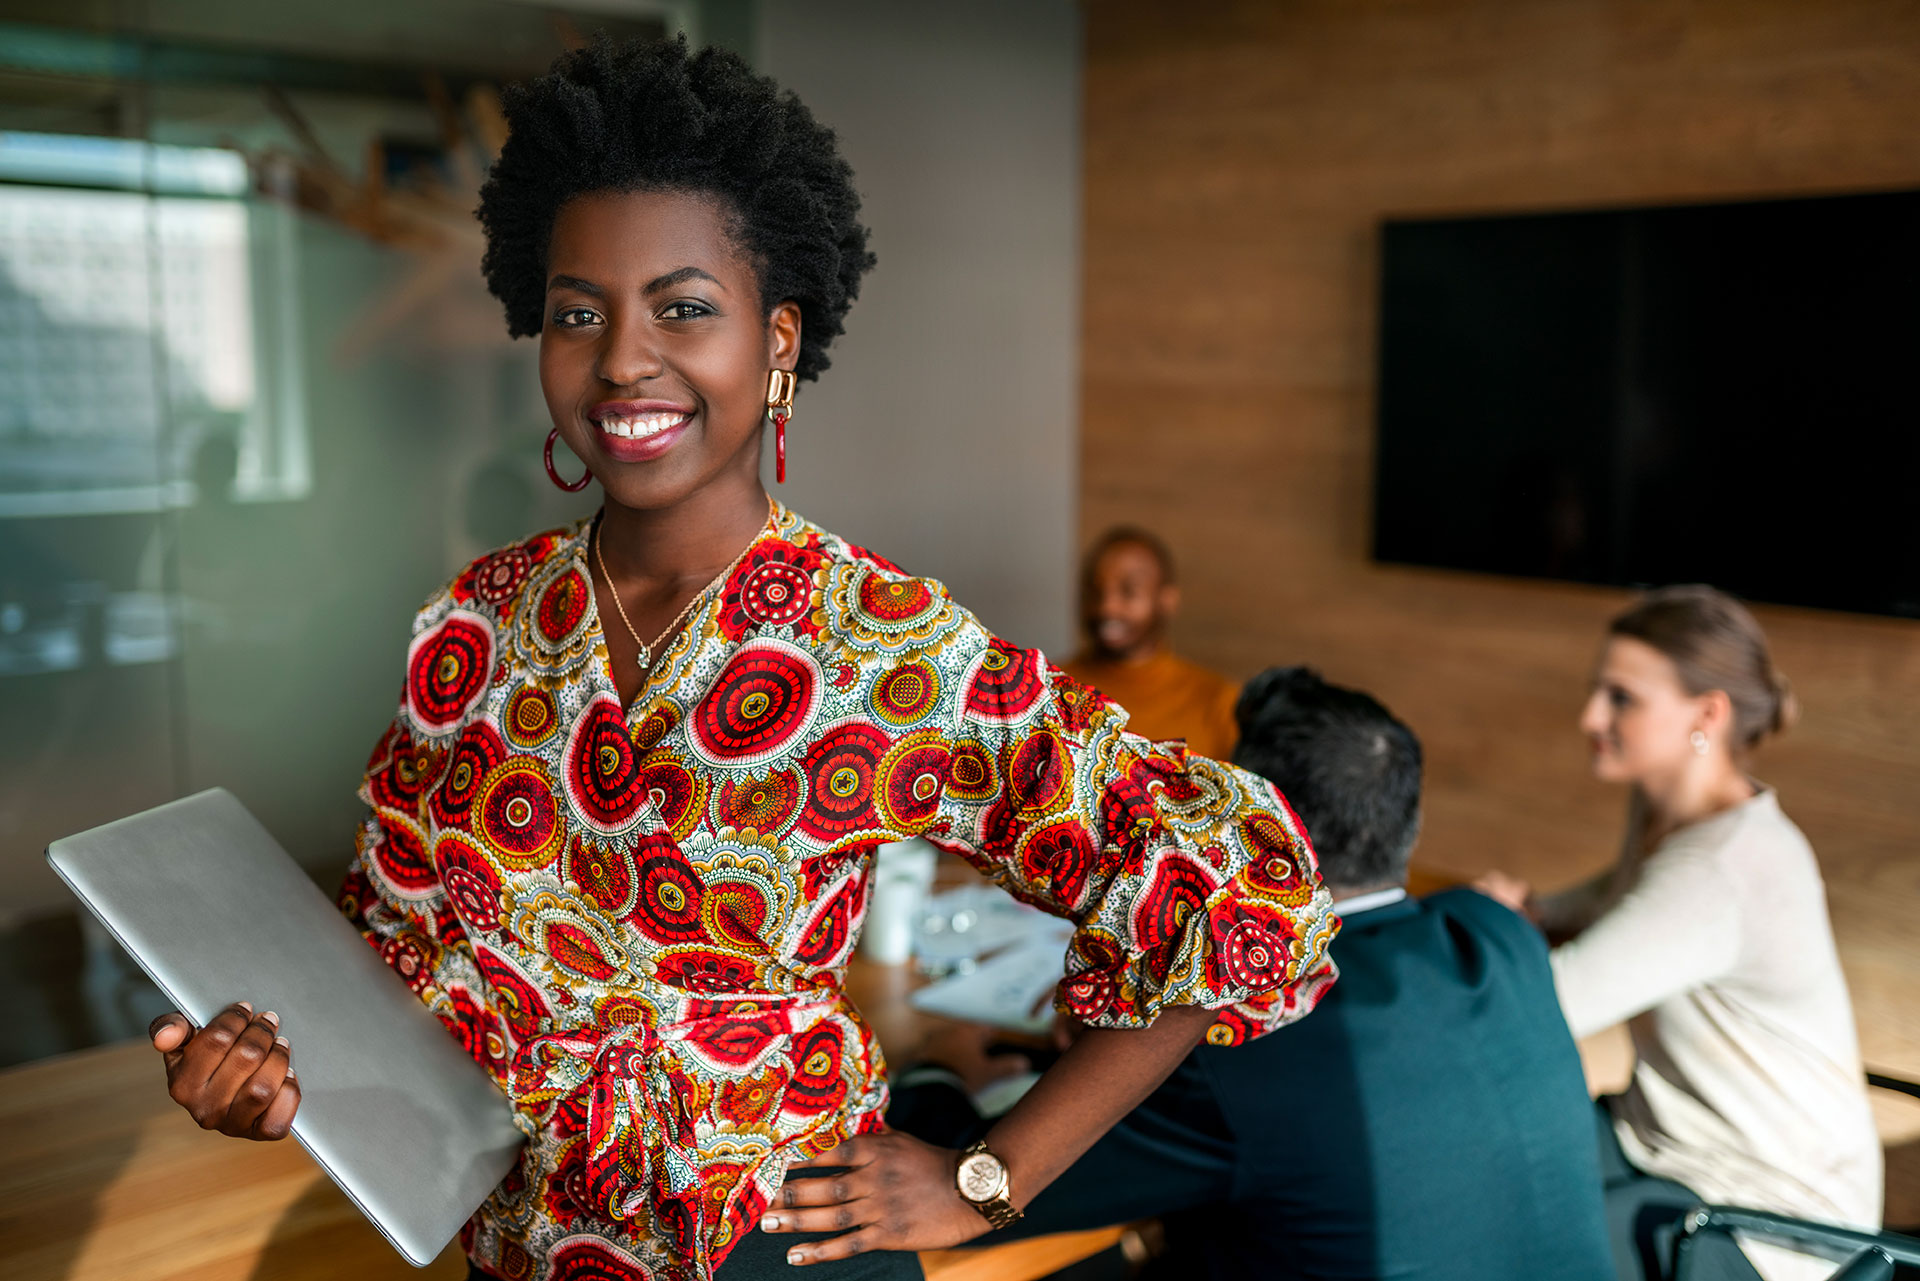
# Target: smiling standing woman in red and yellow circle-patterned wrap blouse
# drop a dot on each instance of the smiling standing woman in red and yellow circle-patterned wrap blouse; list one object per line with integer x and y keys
{"x": 629, "y": 873}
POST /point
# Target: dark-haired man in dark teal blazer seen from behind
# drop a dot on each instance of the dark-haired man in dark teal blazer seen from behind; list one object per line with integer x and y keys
{"x": 1429, "y": 1121}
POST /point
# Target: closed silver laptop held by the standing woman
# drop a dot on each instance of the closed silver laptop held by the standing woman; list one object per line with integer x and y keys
{"x": 210, "y": 906}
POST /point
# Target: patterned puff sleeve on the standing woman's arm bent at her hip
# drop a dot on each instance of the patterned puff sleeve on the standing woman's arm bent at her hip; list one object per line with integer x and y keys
{"x": 1189, "y": 881}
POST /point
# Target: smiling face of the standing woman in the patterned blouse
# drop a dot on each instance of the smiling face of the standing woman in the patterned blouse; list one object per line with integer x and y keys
{"x": 656, "y": 352}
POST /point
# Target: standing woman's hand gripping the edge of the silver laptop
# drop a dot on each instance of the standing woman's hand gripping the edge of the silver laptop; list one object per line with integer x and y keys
{"x": 235, "y": 1075}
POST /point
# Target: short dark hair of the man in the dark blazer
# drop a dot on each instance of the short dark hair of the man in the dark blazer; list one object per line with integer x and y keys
{"x": 1347, "y": 767}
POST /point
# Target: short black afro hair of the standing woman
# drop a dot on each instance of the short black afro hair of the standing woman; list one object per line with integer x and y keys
{"x": 654, "y": 116}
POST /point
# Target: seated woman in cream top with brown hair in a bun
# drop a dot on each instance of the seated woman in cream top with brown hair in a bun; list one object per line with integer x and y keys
{"x": 1712, "y": 938}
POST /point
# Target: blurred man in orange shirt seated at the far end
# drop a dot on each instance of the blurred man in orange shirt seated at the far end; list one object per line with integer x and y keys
{"x": 1128, "y": 598}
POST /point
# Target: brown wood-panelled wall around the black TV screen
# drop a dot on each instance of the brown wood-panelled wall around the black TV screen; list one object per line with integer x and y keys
{"x": 1239, "y": 160}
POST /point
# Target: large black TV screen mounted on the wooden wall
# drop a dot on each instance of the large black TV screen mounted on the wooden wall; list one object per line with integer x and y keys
{"x": 1719, "y": 395}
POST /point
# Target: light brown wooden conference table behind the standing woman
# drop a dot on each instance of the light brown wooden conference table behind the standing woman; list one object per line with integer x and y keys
{"x": 107, "y": 1180}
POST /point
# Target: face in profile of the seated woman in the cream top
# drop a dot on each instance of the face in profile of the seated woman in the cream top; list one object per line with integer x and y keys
{"x": 1641, "y": 719}
